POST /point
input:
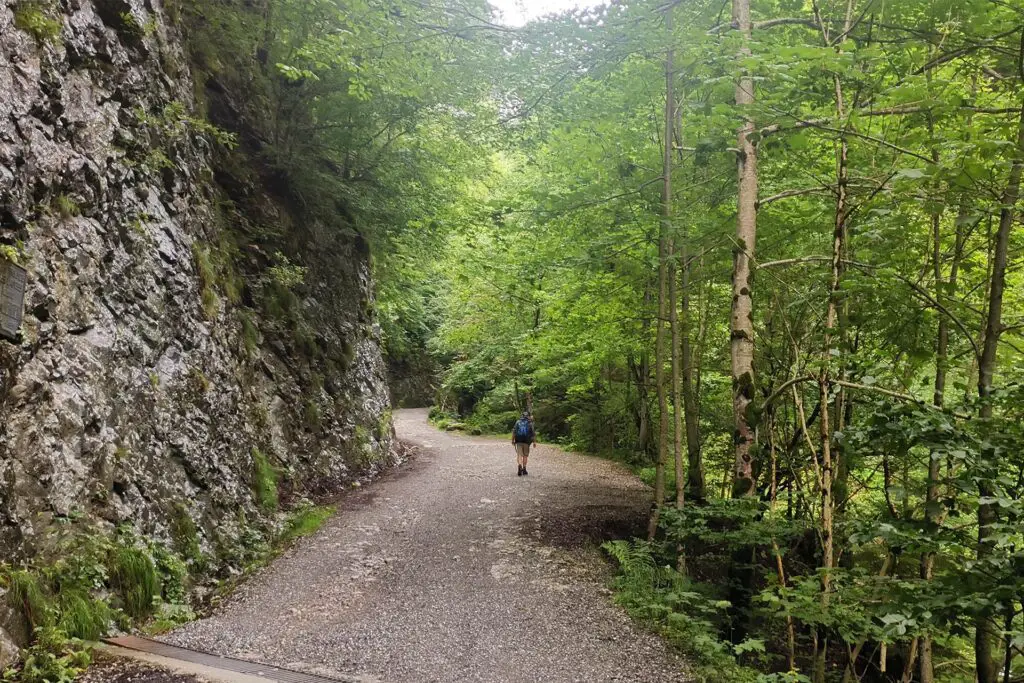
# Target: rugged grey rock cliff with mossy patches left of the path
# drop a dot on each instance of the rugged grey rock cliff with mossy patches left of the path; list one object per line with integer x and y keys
{"x": 162, "y": 345}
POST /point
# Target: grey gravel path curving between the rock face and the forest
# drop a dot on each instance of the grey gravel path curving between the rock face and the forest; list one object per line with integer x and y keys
{"x": 453, "y": 569}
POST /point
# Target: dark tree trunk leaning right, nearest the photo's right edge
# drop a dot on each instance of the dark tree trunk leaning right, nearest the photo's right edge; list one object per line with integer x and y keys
{"x": 986, "y": 632}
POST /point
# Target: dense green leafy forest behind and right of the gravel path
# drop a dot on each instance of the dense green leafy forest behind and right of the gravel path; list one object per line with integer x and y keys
{"x": 767, "y": 252}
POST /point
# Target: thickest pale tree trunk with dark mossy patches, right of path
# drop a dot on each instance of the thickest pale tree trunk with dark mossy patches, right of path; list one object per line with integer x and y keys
{"x": 742, "y": 322}
